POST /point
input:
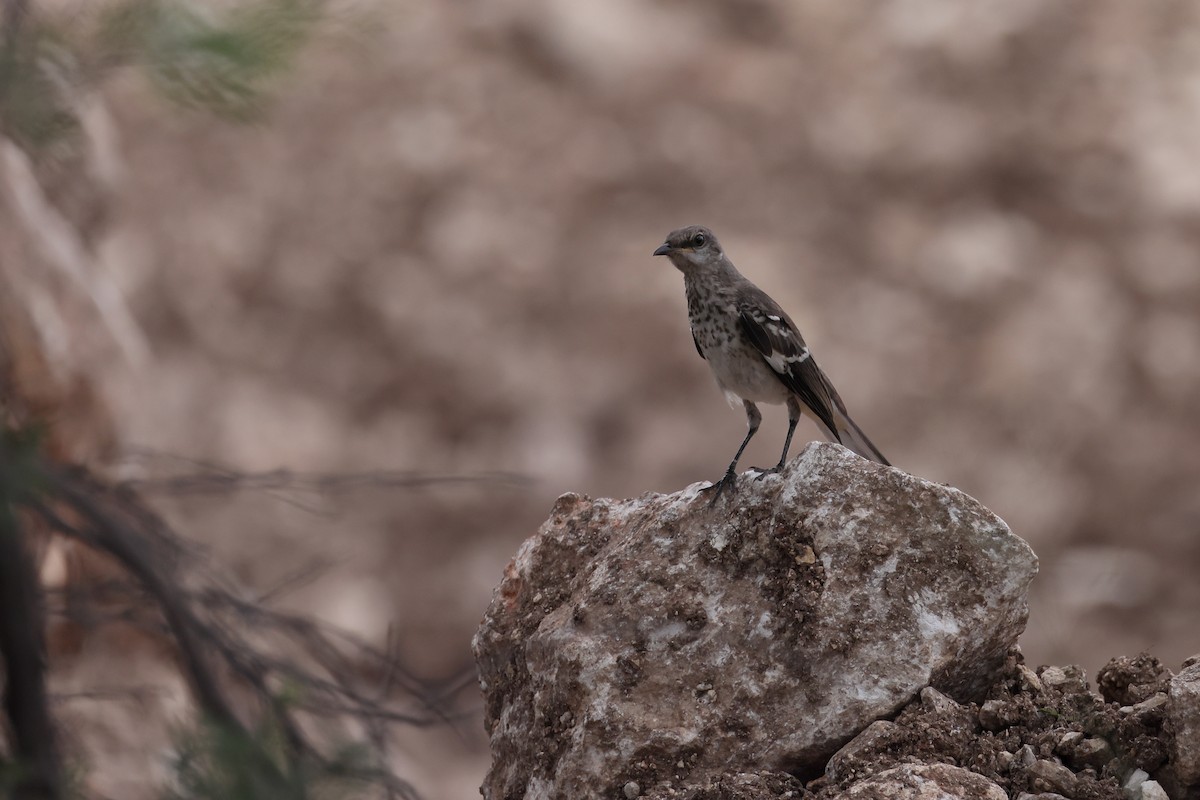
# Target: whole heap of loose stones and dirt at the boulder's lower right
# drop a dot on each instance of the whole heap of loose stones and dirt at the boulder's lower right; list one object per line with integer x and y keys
{"x": 1051, "y": 738}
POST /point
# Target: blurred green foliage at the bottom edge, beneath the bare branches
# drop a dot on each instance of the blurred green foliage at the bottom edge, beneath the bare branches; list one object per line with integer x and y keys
{"x": 215, "y": 762}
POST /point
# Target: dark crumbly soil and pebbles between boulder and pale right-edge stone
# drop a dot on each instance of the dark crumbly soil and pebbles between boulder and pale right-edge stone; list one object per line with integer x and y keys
{"x": 1037, "y": 733}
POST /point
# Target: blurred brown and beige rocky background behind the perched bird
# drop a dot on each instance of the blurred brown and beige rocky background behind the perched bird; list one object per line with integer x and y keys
{"x": 429, "y": 249}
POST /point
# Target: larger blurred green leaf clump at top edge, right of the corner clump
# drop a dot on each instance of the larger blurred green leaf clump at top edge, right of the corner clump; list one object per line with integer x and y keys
{"x": 201, "y": 59}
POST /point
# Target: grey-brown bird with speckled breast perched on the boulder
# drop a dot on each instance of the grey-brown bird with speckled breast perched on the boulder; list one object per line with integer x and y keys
{"x": 755, "y": 351}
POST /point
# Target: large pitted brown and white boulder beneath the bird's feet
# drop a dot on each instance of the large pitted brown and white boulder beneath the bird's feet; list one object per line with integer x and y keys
{"x": 663, "y": 641}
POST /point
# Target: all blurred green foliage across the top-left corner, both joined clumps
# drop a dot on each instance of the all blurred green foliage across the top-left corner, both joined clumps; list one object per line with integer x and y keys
{"x": 220, "y": 62}
